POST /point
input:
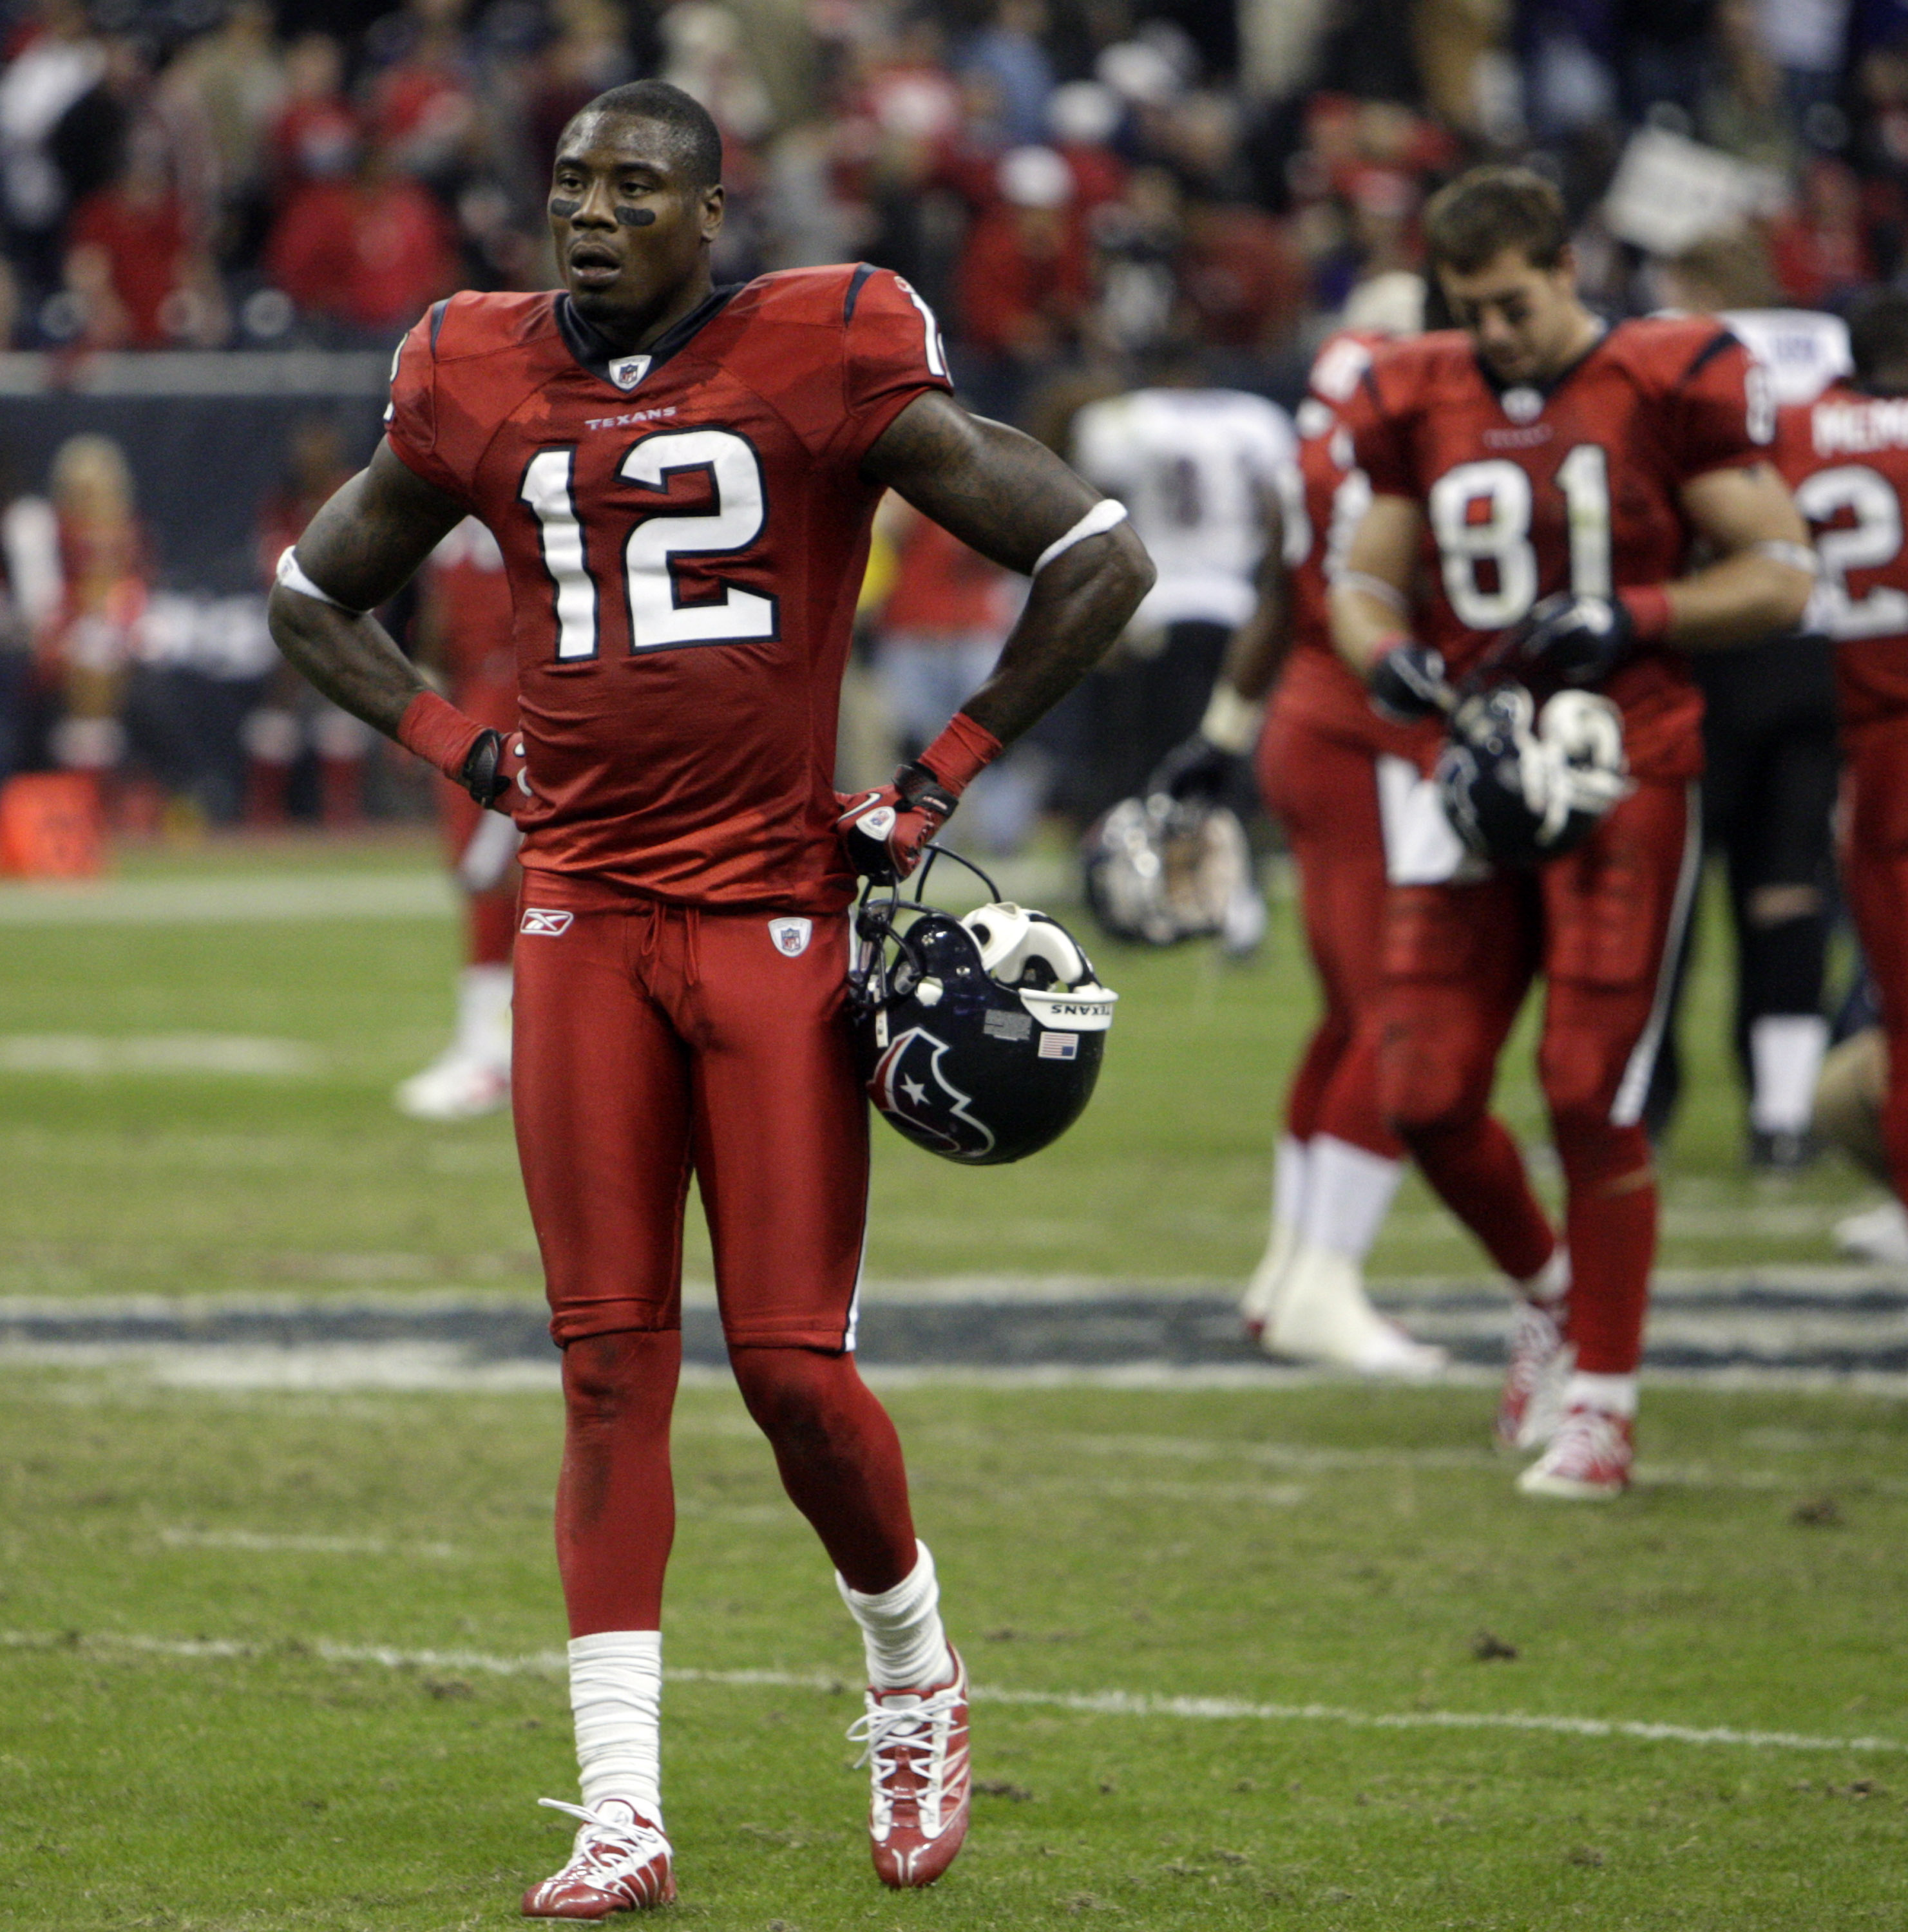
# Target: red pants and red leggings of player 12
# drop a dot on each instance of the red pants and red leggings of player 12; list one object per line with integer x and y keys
{"x": 654, "y": 1042}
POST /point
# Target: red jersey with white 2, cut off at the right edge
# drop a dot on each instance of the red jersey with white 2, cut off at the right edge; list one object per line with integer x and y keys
{"x": 1847, "y": 461}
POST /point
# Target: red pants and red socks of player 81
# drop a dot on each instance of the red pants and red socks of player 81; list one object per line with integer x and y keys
{"x": 1600, "y": 924}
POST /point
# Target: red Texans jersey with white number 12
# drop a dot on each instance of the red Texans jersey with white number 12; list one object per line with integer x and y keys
{"x": 685, "y": 536}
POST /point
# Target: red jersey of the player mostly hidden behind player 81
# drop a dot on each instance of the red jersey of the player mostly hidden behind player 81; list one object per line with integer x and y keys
{"x": 1323, "y": 503}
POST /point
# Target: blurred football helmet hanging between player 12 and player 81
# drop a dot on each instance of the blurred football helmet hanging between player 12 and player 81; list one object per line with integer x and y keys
{"x": 1165, "y": 868}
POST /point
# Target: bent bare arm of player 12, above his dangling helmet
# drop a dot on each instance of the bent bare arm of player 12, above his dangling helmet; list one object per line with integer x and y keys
{"x": 1008, "y": 497}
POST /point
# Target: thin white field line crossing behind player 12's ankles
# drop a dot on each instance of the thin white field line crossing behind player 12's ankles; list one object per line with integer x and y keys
{"x": 1089, "y": 1703}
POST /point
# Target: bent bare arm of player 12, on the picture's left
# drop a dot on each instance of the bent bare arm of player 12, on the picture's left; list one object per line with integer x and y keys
{"x": 361, "y": 550}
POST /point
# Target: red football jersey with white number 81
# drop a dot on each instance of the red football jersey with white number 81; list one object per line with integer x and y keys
{"x": 1575, "y": 488}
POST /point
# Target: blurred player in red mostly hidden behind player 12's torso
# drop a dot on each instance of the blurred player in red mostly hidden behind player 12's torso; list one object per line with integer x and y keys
{"x": 467, "y": 633}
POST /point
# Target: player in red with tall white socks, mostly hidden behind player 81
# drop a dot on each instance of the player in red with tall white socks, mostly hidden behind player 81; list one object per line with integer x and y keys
{"x": 1321, "y": 760}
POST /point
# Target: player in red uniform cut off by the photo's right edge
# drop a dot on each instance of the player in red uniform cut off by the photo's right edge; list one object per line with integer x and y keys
{"x": 1847, "y": 459}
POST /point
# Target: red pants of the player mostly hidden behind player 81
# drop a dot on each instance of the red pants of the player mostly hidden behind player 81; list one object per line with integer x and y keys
{"x": 1325, "y": 795}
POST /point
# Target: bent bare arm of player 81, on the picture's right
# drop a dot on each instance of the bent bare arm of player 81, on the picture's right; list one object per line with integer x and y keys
{"x": 1762, "y": 582}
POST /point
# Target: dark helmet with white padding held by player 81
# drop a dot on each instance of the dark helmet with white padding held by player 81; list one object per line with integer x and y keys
{"x": 1524, "y": 785}
